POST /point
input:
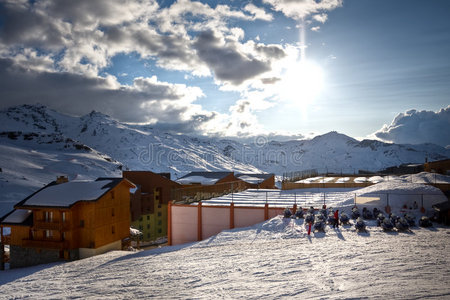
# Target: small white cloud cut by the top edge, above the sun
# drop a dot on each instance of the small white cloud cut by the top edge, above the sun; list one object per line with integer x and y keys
{"x": 300, "y": 9}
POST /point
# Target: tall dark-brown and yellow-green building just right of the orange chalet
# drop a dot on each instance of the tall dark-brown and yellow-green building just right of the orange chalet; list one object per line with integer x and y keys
{"x": 149, "y": 202}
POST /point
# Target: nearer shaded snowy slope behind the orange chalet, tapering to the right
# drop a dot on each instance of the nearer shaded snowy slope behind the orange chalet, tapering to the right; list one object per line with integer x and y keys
{"x": 30, "y": 161}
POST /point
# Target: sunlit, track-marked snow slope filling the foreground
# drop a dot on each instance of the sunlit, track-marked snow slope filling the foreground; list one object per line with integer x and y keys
{"x": 274, "y": 259}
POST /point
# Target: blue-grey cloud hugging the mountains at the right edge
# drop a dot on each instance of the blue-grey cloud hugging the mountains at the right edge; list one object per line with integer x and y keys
{"x": 416, "y": 127}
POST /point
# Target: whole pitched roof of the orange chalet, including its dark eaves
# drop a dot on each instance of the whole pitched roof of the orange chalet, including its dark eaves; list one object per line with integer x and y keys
{"x": 69, "y": 193}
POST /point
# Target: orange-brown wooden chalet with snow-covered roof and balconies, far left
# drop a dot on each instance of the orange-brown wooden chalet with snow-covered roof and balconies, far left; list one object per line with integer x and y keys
{"x": 69, "y": 220}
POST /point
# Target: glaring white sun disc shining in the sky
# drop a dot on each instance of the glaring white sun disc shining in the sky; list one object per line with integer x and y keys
{"x": 302, "y": 82}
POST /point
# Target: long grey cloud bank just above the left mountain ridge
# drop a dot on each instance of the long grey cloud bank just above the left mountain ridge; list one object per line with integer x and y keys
{"x": 147, "y": 99}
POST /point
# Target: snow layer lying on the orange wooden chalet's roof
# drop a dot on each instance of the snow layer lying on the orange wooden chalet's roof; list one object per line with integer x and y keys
{"x": 66, "y": 194}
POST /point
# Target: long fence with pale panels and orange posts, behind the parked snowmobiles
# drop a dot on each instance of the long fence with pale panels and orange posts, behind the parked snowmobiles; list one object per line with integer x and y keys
{"x": 190, "y": 223}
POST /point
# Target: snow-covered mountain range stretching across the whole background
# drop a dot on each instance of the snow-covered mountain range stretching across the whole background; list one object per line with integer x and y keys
{"x": 39, "y": 143}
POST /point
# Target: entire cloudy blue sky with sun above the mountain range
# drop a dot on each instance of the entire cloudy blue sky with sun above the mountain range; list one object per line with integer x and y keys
{"x": 283, "y": 68}
